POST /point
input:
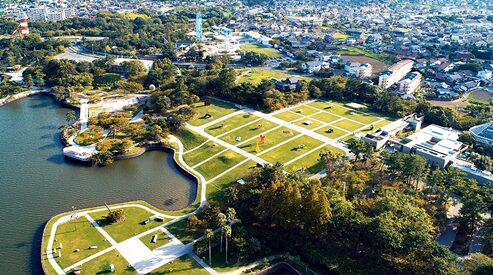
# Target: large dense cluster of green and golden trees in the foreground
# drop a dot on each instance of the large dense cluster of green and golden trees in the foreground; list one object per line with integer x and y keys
{"x": 357, "y": 220}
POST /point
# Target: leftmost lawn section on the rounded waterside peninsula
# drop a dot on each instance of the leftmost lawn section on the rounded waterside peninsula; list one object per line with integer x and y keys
{"x": 77, "y": 234}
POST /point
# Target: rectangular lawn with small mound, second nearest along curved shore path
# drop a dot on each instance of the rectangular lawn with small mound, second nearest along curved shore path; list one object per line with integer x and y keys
{"x": 219, "y": 164}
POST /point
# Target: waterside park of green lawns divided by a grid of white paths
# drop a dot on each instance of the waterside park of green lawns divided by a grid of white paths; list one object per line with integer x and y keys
{"x": 218, "y": 147}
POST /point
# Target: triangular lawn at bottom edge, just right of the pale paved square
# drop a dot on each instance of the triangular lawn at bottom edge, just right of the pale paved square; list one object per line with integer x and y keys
{"x": 184, "y": 265}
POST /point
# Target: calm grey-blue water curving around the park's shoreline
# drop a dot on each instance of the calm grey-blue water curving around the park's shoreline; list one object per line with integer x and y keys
{"x": 37, "y": 182}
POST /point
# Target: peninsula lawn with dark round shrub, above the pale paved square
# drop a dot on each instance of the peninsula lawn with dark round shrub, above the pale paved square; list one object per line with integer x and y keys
{"x": 132, "y": 226}
